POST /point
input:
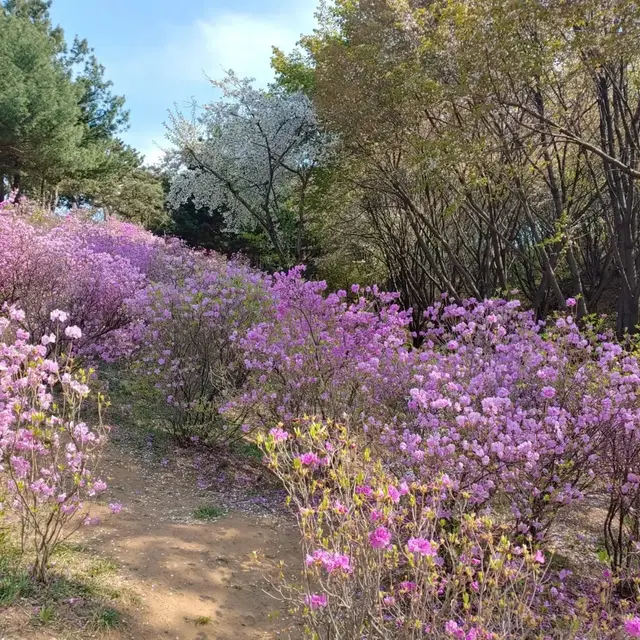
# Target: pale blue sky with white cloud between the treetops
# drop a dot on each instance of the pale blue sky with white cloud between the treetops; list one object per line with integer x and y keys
{"x": 157, "y": 52}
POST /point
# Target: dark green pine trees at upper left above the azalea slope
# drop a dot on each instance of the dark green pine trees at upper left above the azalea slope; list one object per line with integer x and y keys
{"x": 60, "y": 121}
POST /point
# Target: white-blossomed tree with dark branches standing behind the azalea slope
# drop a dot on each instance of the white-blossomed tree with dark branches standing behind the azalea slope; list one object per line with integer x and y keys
{"x": 253, "y": 153}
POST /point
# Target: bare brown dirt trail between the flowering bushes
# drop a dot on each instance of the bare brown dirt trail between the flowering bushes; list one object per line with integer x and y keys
{"x": 185, "y": 570}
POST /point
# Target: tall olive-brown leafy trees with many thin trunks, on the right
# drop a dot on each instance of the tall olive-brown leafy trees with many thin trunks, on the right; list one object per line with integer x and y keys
{"x": 484, "y": 145}
